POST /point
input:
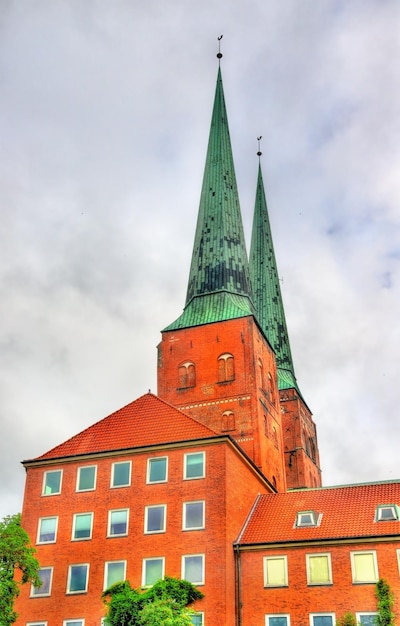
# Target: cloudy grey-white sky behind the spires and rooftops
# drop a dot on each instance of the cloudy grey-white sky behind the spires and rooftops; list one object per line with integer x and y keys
{"x": 104, "y": 119}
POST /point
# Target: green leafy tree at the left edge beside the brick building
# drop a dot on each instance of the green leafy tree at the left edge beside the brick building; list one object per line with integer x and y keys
{"x": 15, "y": 554}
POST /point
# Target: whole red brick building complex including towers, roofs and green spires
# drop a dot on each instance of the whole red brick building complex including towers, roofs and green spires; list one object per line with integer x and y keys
{"x": 217, "y": 478}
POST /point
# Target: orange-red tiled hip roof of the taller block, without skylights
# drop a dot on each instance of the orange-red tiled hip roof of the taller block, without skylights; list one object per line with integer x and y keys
{"x": 144, "y": 422}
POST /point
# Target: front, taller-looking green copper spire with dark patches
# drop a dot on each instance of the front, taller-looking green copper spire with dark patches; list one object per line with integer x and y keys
{"x": 219, "y": 282}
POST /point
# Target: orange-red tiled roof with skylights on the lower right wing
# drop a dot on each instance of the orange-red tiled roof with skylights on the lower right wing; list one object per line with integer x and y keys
{"x": 346, "y": 512}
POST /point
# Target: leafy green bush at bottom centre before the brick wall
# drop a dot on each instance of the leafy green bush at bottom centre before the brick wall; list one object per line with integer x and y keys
{"x": 164, "y": 604}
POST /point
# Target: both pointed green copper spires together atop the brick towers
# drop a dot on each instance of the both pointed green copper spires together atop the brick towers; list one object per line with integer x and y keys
{"x": 223, "y": 284}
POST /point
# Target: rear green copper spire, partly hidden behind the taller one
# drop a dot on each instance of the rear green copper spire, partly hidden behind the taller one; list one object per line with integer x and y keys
{"x": 266, "y": 288}
